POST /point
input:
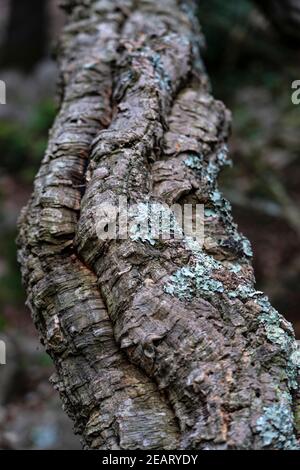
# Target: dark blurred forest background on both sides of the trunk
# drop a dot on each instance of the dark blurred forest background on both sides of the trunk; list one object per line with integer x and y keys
{"x": 251, "y": 70}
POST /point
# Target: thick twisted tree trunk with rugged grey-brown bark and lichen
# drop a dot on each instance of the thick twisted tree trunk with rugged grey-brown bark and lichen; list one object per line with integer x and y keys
{"x": 158, "y": 344}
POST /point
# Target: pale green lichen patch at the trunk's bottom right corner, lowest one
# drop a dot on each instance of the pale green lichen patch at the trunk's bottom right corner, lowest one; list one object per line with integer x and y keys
{"x": 276, "y": 426}
